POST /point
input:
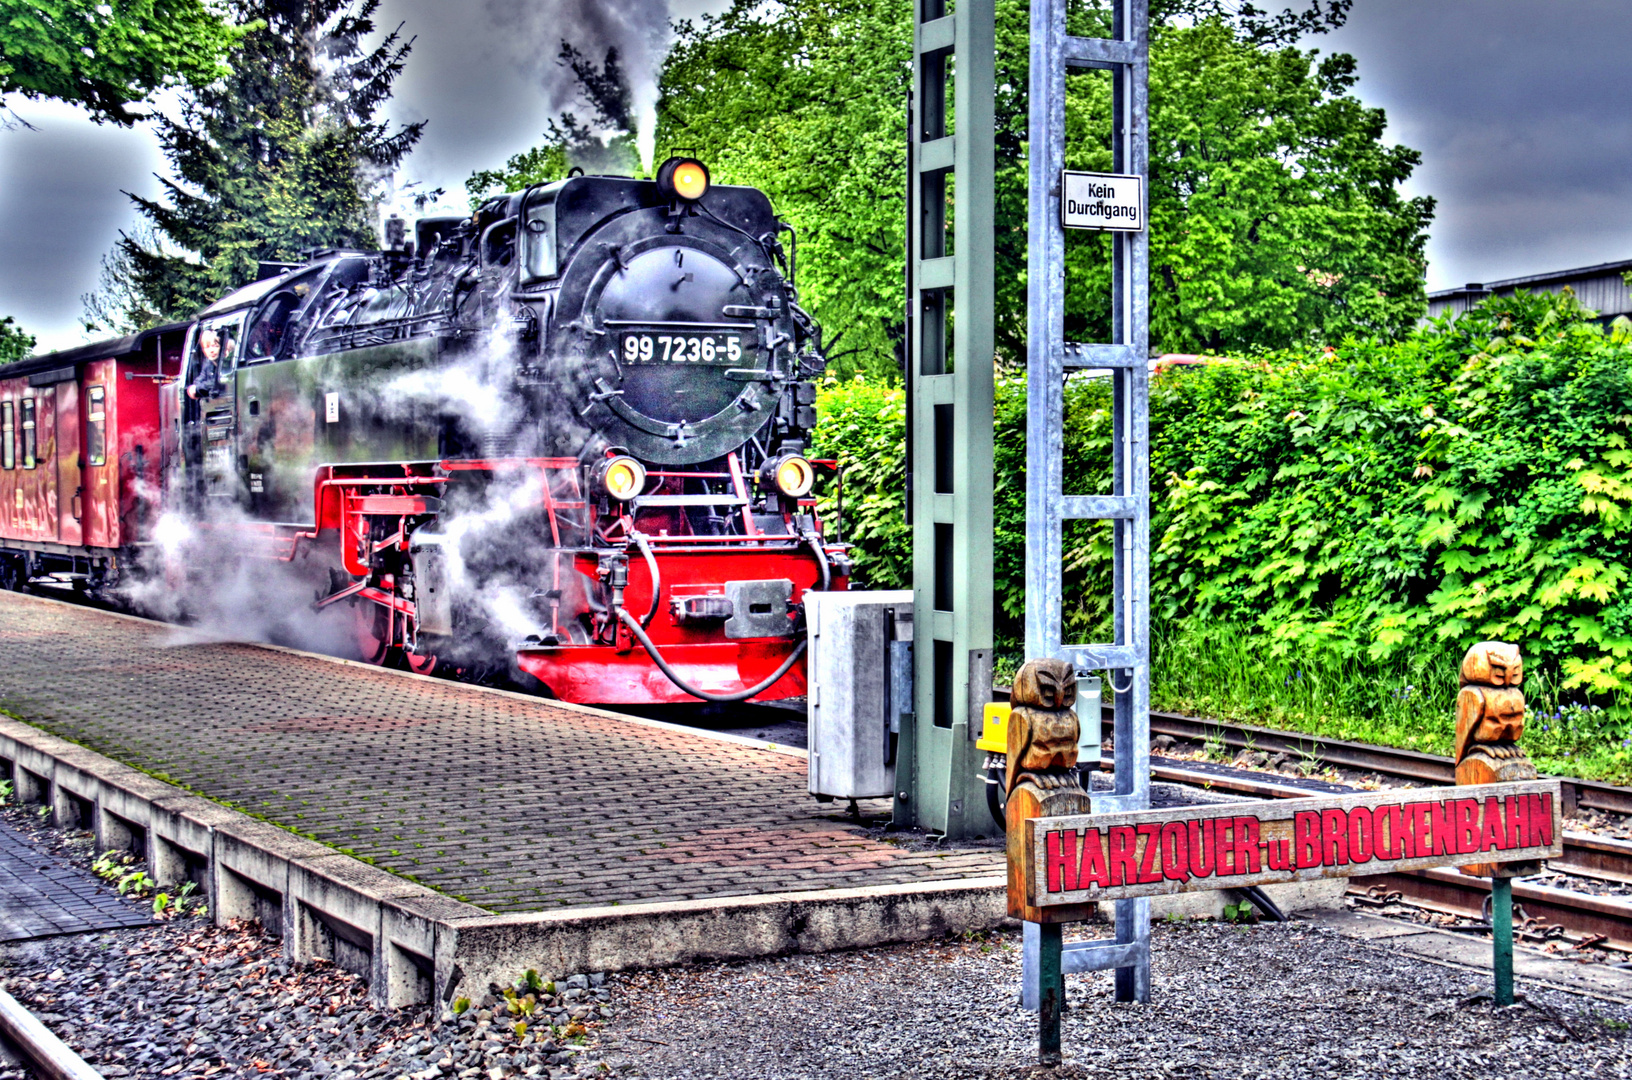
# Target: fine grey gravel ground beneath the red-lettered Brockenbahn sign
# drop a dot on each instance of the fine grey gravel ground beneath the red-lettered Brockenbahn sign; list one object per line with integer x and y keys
{"x": 1231, "y": 1003}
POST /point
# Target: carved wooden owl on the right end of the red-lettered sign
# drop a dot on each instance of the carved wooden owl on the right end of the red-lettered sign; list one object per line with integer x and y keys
{"x": 1489, "y": 724}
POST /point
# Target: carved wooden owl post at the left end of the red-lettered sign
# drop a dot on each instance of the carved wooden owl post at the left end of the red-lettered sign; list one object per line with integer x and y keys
{"x": 1042, "y": 771}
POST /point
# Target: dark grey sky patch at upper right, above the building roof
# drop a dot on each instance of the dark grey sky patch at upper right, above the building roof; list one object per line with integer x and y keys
{"x": 1523, "y": 115}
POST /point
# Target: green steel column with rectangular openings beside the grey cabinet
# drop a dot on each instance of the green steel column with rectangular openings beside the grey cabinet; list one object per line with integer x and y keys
{"x": 951, "y": 358}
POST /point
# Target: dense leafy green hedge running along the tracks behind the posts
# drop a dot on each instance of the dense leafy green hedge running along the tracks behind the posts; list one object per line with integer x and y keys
{"x": 1350, "y": 516}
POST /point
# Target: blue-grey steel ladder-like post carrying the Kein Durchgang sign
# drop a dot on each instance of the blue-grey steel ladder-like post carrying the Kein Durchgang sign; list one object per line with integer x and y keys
{"x": 1049, "y": 360}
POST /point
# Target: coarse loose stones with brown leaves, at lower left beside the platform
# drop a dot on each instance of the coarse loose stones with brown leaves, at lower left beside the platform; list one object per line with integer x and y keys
{"x": 200, "y": 1001}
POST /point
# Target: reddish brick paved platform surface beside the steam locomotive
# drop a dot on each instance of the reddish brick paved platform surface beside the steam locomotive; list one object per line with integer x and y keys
{"x": 512, "y": 803}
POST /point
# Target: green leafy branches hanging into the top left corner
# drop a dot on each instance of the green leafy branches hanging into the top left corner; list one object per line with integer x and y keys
{"x": 109, "y": 56}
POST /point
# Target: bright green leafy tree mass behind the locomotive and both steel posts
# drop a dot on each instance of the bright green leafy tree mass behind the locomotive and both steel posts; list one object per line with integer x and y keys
{"x": 1274, "y": 205}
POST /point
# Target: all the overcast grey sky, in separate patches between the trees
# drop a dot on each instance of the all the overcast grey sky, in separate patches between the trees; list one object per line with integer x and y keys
{"x": 1522, "y": 110}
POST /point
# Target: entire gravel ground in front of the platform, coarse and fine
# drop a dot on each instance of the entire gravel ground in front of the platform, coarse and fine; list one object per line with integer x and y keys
{"x": 1288, "y": 1001}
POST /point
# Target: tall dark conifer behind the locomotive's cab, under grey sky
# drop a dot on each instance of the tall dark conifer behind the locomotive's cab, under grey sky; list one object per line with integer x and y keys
{"x": 280, "y": 157}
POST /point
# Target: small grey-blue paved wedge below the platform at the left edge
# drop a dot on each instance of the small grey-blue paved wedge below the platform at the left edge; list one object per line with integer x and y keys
{"x": 43, "y": 896}
